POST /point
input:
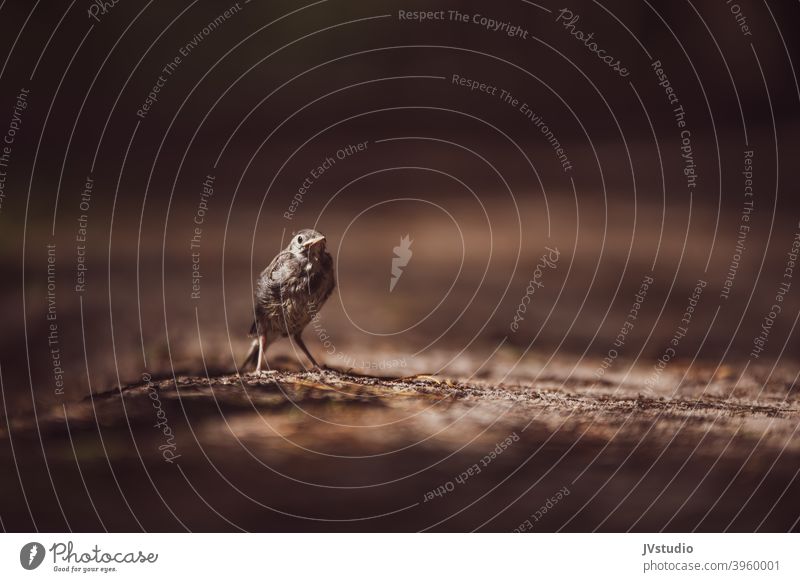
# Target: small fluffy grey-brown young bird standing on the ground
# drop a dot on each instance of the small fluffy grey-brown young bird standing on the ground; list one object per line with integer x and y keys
{"x": 290, "y": 292}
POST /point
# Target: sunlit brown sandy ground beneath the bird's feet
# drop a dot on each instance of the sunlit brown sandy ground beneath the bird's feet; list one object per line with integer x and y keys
{"x": 295, "y": 450}
